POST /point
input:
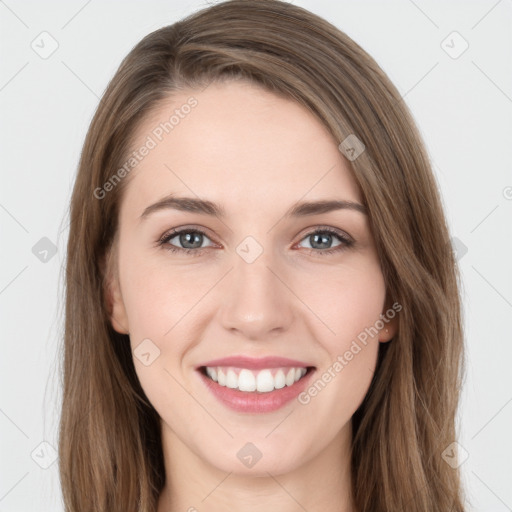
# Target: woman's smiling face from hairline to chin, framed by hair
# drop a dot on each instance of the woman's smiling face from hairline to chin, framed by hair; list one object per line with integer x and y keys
{"x": 268, "y": 281}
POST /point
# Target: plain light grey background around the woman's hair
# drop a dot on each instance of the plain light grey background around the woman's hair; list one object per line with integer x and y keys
{"x": 463, "y": 107}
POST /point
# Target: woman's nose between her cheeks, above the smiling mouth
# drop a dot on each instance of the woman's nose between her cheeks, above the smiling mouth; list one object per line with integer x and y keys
{"x": 257, "y": 302}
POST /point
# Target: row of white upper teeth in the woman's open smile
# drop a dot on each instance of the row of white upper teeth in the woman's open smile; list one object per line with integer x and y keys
{"x": 263, "y": 381}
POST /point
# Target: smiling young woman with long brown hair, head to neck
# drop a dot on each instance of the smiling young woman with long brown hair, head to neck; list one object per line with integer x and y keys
{"x": 262, "y": 306}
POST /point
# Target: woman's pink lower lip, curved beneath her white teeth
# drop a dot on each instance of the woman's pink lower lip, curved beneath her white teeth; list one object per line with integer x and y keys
{"x": 255, "y": 401}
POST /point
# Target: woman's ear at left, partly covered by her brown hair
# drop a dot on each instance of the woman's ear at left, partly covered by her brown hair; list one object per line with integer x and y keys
{"x": 113, "y": 296}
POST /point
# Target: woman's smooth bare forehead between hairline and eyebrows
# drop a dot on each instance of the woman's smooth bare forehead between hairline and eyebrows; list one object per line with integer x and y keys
{"x": 238, "y": 145}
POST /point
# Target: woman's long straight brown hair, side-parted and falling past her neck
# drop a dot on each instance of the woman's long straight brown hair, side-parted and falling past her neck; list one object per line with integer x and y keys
{"x": 110, "y": 445}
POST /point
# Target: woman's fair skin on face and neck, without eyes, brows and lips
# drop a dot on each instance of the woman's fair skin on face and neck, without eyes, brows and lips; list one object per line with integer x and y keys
{"x": 256, "y": 154}
